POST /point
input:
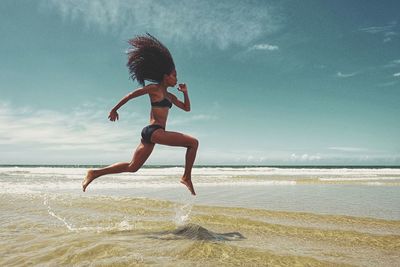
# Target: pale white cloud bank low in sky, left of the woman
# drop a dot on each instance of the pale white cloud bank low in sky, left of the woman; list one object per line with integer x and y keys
{"x": 78, "y": 130}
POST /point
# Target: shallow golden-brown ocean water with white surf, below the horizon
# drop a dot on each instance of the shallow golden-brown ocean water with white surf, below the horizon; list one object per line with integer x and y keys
{"x": 241, "y": 216}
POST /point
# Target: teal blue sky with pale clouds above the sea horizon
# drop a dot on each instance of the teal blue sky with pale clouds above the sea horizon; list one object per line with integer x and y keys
{"x": 270, "y": 82}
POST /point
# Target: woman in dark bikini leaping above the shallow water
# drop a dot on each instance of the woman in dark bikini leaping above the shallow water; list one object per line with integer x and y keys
{"x": 150, "y": 60}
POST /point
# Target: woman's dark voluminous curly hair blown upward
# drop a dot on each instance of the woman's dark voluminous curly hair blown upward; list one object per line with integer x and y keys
{"x": 148, "y": 59}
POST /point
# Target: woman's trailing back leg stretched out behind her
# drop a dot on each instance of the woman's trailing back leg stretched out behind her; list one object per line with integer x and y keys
{"x": 141, "y": 154}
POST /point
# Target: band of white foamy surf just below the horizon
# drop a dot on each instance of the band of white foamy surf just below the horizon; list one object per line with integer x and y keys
{"x": 21, "y": 180}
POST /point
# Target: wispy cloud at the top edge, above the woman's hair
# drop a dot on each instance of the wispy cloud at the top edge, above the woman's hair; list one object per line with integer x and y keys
{"x": 211, "y": 23}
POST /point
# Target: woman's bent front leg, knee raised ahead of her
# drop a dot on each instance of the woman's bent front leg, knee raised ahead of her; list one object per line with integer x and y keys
{"x": 178, "y": 139}
